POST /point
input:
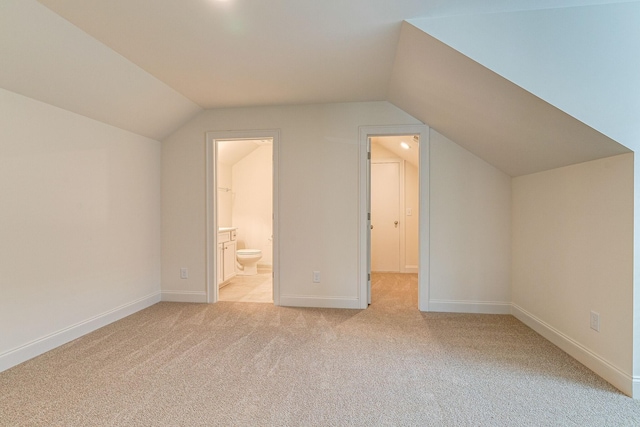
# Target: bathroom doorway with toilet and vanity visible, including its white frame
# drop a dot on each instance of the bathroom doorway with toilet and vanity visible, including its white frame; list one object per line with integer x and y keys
{"x": 241, "y": 217}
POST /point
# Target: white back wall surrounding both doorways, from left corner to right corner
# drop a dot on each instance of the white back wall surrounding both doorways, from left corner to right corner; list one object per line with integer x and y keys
{"x": 318, "y": 212}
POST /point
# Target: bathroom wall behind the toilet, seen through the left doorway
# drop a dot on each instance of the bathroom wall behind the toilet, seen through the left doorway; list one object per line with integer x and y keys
{"x": 252, "y": 202}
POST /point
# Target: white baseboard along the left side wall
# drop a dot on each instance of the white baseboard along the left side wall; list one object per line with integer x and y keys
{"x": 37, "y": 347}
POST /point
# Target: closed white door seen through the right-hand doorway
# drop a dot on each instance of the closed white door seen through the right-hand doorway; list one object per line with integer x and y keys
{"x": 385, "y": 217}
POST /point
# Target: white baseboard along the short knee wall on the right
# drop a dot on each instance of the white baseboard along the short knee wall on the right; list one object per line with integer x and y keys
{"x": 624, "y": 382}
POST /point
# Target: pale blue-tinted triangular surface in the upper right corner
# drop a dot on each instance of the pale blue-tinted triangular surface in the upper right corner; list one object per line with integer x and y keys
{"x": 583, "y": 60}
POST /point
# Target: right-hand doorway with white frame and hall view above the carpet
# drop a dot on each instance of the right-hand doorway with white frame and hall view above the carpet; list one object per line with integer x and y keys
{"x": 394, "y": 205}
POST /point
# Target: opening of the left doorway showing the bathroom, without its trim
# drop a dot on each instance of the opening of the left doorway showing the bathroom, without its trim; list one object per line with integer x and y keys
{"x": 244, "y": 210}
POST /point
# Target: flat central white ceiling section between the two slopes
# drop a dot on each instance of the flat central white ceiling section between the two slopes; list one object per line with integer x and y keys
{"x": 247, "y": 53}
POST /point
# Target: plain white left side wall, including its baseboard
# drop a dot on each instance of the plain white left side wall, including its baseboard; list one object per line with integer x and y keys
{"x": 79, "y": 225}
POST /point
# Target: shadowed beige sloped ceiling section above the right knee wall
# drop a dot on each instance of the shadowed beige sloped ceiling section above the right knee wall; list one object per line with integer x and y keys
{"x": 488, "y": 115}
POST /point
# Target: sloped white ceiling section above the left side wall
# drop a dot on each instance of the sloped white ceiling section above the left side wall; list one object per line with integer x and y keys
{"x": 44, "y": 57}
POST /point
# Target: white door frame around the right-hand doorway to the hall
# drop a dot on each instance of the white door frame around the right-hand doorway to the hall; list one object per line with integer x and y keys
{"x": 364, "y": 222}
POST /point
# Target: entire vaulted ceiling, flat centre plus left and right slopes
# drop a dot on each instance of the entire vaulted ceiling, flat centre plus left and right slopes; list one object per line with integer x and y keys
{"x": 150, "y": 65}
